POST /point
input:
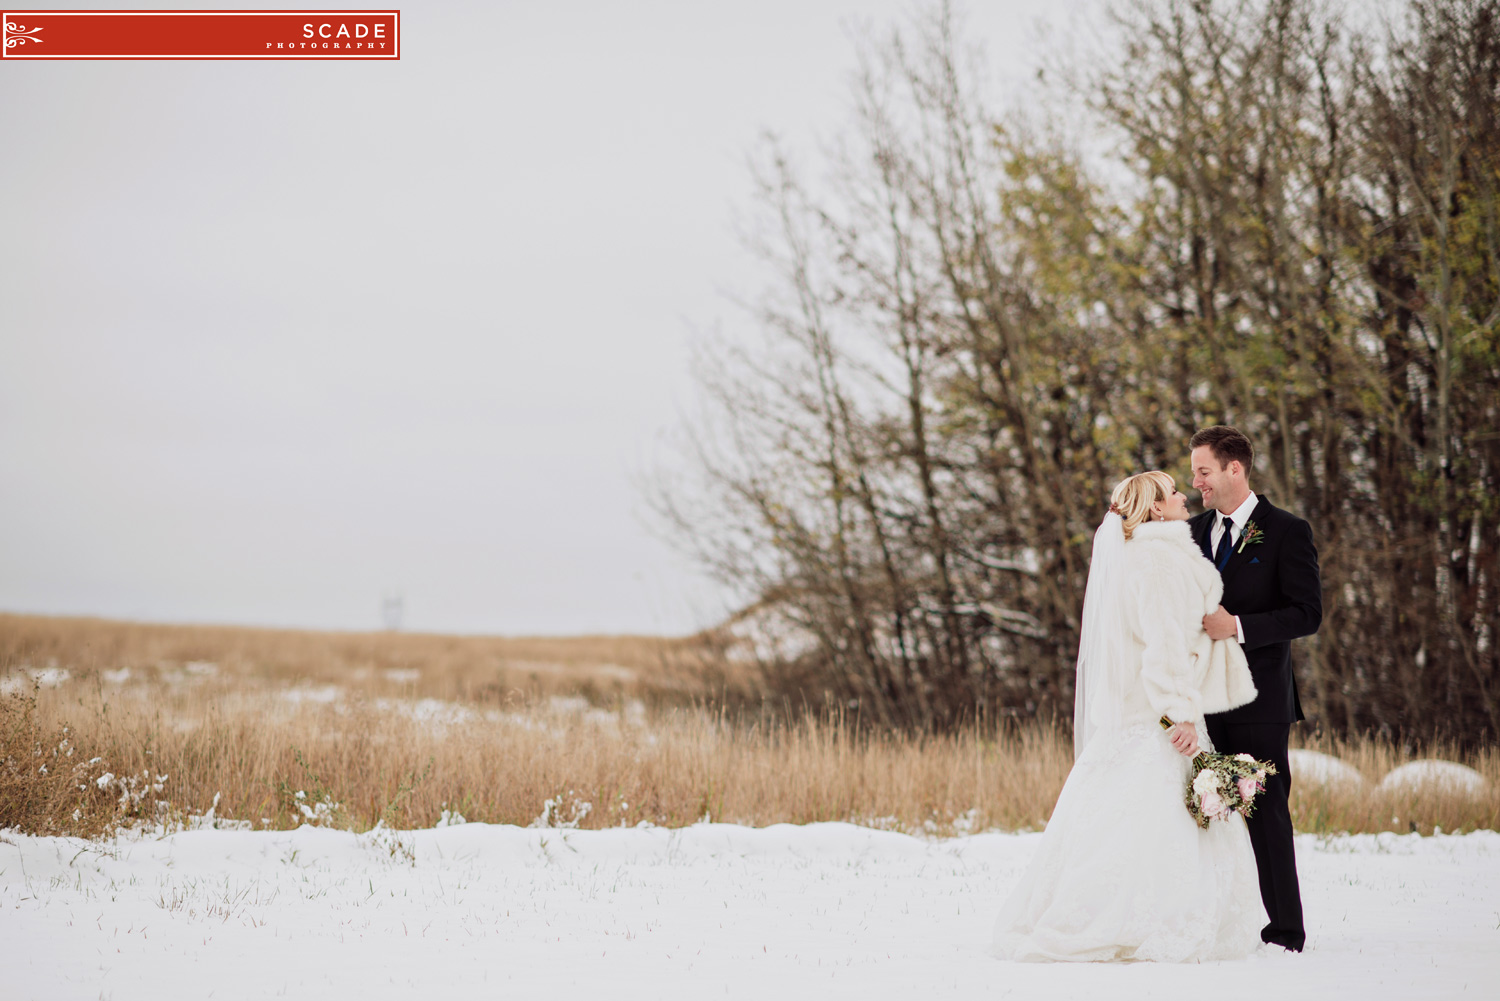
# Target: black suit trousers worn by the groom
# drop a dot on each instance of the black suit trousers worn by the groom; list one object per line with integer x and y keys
{"x": 1270, "y": 826}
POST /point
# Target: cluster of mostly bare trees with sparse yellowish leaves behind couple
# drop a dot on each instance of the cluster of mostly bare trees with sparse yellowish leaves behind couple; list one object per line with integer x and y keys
{"x": 970, "y": 341}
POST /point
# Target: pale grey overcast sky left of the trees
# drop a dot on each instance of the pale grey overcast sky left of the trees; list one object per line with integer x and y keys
{"x": 281, "y": 338}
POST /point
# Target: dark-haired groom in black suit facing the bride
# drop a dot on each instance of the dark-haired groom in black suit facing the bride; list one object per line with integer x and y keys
{"x": 1273, "y": 595}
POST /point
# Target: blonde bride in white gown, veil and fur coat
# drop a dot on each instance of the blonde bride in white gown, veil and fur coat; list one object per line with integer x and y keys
{"x": 1123, "y": 871}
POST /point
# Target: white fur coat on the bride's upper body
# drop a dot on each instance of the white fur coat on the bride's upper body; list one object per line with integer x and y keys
{"x": 1175, "y": 586}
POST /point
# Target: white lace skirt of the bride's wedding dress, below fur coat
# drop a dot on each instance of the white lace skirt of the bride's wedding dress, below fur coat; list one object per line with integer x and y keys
{"x": 1124, "y": 873}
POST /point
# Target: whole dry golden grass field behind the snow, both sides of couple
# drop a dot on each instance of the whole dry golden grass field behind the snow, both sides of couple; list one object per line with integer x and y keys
{"x": 257, "y": 717}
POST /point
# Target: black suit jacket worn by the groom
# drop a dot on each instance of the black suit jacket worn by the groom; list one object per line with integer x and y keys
{"x": 1276, "y": 591}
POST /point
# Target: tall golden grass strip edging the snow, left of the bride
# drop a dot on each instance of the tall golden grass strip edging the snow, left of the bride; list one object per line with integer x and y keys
{"x": 386, "y": 762}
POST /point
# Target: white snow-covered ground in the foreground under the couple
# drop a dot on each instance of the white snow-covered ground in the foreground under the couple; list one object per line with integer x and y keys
{"x": 707, "y": 912}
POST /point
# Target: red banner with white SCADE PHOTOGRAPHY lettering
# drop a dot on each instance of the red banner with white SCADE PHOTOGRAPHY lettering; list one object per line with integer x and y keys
{"x": 200, "y": 35}
